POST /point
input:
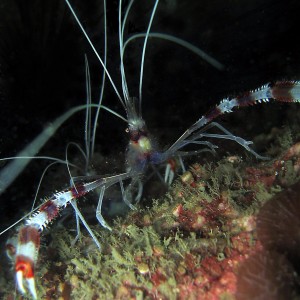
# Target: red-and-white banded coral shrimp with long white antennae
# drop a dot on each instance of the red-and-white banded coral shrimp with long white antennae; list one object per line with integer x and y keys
{"x": 142, "y": 152}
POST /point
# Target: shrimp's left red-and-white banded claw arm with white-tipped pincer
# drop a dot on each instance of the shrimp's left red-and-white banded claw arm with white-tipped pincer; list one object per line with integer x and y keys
{"x": 23, "y": 249}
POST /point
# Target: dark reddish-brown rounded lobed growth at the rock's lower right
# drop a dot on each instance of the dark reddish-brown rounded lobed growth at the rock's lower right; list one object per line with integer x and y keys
{"x": 273, "y": 272}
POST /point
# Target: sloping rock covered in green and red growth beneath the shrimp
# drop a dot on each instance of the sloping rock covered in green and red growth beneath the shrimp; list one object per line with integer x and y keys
{"x": 220, "y": 233}
